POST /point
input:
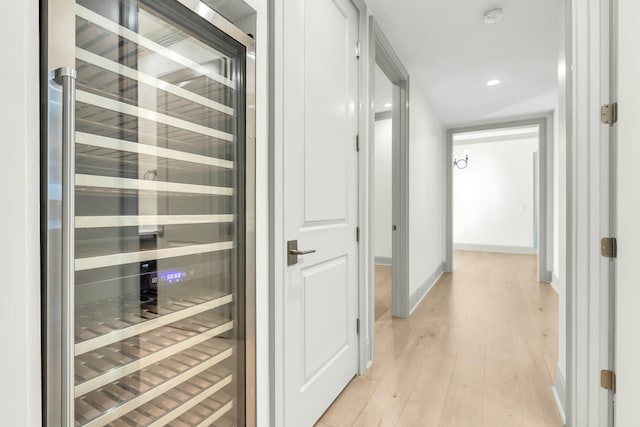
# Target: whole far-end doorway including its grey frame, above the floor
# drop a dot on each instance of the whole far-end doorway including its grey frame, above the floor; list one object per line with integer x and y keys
{"x": 500, "y": 191}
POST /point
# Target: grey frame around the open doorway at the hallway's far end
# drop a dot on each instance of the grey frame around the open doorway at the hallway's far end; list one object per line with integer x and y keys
{"x": 545, "y": 175}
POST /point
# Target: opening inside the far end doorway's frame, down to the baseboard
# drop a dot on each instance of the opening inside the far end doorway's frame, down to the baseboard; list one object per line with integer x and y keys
{"x": 495, "y": 191}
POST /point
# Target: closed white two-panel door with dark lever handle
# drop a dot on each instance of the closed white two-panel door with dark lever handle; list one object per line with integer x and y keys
{"x": 320, "y": 204}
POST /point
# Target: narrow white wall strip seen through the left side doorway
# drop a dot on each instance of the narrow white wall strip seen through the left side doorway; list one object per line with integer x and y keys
{"x": 382, "y": 216}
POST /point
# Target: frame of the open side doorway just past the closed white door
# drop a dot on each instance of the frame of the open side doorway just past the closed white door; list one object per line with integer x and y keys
{"x": 378, "y": 50}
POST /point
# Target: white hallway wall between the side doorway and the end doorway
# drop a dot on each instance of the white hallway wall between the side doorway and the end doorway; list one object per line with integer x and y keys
{"x": 426, "y": 191}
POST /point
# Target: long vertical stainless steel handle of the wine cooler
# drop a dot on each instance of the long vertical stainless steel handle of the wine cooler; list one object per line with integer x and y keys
{"x": 66, "y": 77}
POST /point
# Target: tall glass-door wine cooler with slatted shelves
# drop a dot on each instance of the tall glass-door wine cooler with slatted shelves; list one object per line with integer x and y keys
{"x": 148, "y": 190}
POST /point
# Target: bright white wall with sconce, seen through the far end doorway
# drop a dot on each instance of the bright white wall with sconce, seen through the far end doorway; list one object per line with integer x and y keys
{"x": 493, "y": 198}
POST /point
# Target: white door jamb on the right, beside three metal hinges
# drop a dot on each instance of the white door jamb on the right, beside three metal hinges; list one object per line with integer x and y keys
{"x": 588, "y": 171}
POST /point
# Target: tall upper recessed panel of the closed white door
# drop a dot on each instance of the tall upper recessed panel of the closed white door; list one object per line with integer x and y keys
{"x": 327, "y": 104}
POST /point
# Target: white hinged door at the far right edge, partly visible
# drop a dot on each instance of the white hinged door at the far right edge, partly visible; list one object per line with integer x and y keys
{"x": 628, "y": 233}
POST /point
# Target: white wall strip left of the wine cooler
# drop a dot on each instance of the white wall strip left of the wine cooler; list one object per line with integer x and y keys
{"x": 19, "y": 251}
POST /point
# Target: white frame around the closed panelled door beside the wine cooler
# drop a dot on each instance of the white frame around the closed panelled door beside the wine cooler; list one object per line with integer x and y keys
{"x": 277, "y": 238}
